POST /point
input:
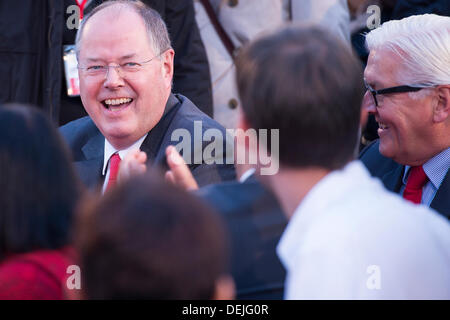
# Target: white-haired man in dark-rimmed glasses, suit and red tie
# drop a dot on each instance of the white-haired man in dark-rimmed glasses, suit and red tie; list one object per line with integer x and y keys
{"x": 408, "y": 90}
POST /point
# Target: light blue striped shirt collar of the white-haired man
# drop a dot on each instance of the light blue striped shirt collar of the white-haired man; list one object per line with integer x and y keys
{"x": 436, "y": 168}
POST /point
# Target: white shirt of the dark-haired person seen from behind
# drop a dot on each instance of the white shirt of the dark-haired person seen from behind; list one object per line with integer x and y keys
{"x": 352, "y": 239}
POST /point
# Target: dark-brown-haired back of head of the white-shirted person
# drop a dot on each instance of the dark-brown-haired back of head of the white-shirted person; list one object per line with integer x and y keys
{"x": 307, "y": 84}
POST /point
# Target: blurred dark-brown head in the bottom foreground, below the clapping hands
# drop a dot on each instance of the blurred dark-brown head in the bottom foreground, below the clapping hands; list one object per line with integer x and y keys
{"x": 150, "y": 240}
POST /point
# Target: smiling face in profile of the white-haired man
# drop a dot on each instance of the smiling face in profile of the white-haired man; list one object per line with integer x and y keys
{"x": 405, "y": 124}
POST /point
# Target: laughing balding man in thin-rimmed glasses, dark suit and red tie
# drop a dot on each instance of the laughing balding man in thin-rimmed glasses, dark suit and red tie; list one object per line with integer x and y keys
{"x": 125, "y": 63}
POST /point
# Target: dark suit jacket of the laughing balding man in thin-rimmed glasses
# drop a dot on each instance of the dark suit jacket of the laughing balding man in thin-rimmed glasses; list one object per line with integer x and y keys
{"x": 87, "y": 143}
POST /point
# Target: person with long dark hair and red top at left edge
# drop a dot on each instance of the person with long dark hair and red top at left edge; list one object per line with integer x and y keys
{"x": 38, "y": 198}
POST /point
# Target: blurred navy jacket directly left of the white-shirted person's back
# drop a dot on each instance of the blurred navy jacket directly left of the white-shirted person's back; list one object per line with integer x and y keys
{"x": 255, "y": 223}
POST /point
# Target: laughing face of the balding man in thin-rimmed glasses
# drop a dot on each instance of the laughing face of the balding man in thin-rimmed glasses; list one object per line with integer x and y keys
{"x": 128, "y": 102}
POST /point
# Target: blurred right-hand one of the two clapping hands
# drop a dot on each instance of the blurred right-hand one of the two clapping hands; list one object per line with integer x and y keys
{"x": 179, "y": 173}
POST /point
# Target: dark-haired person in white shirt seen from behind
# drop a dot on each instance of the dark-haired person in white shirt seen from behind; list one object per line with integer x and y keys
{"x": 347, "y": 237}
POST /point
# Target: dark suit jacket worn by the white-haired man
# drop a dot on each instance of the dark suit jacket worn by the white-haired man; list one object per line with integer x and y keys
{"x": 391, "y": 174}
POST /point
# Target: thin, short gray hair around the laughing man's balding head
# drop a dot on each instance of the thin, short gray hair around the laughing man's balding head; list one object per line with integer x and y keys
{"x": 154, "y": 24}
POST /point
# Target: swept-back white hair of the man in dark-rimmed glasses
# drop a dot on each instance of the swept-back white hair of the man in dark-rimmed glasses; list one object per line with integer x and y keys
{"x": 423, "y": 44}
